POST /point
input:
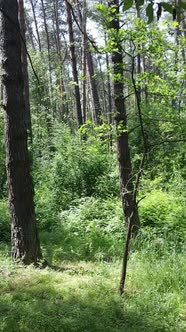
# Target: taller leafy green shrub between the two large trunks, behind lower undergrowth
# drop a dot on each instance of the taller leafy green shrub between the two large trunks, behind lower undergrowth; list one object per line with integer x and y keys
{"x": 77, "y": 168}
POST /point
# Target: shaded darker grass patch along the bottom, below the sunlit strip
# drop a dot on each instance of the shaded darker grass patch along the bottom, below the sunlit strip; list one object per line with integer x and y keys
{"x": 38, "y": 306}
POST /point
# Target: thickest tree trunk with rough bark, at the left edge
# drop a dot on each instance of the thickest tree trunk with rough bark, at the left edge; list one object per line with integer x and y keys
{"x": 25, "y": 242}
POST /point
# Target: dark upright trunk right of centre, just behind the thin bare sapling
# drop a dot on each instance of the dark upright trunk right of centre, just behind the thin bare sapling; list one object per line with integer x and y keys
{"x": 125, "y": 166}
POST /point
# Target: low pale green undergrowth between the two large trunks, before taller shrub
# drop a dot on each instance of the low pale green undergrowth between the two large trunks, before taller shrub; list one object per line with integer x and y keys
{"x": 92, "y": 230}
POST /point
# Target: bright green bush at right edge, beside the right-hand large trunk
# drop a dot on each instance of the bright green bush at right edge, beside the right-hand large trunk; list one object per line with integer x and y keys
{"x": 166, "y": 213}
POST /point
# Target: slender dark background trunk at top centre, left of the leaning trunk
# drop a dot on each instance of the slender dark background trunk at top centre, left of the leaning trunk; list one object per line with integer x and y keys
{"x": 74, "y": 63}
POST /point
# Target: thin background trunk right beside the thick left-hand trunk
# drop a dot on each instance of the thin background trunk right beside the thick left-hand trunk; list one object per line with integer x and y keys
{"x": 25, "y": 69}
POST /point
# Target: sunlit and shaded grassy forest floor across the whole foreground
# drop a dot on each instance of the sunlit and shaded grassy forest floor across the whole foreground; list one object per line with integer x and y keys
{"x": 82, "y": 296}
